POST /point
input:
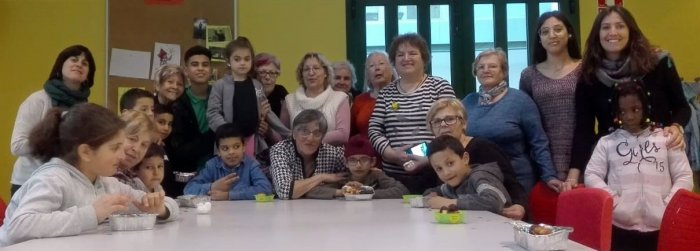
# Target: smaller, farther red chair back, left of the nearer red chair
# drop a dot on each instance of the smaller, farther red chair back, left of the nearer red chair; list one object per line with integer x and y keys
{"x": 542, "y": 204}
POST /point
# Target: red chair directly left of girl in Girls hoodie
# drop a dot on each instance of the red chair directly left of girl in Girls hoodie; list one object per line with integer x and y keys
{"x": 589, "y": 212}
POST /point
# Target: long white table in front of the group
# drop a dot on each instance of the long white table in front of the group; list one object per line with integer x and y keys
{"x": 301, "y": 225}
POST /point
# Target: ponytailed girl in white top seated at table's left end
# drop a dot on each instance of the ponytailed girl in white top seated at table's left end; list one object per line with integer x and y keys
{"x": 72, "y": 192}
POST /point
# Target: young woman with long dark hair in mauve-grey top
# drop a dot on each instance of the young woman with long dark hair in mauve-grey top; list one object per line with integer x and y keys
{"x": 551, "y": 83}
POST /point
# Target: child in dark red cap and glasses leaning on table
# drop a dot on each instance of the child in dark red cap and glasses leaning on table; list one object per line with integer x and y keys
{"x": 361, "y": 161}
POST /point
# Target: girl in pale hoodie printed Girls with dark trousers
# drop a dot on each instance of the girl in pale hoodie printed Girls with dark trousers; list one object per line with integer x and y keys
{"x": 642, "y": 173}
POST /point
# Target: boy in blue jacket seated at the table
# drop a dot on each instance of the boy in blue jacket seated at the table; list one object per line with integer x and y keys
{"x": 231, "y": 175}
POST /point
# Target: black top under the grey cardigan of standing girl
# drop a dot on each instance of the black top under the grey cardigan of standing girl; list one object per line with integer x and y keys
{"x": 245, "y": 107}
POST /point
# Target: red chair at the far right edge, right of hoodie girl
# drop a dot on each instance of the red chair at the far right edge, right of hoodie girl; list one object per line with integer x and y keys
{"x": 681, "y": 223}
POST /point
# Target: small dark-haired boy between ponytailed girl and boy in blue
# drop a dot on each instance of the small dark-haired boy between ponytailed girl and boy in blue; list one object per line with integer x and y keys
{"x": 149, "y": 173}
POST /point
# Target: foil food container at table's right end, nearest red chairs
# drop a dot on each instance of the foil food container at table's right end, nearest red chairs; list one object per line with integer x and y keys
{"x": 558, "y": 239}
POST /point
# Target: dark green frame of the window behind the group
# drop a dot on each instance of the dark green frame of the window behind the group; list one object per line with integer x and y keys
{"x": 461, "y": 29}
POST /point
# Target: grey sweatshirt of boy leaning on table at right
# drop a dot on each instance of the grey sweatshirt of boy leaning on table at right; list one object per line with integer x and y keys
{"x": 482, "y": 190}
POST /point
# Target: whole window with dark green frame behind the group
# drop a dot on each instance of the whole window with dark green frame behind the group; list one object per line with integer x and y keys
{"x": 456, "y": 31}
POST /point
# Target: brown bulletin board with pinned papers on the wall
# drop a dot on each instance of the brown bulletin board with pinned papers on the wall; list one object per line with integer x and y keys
{"x": 137, "y": 25}
